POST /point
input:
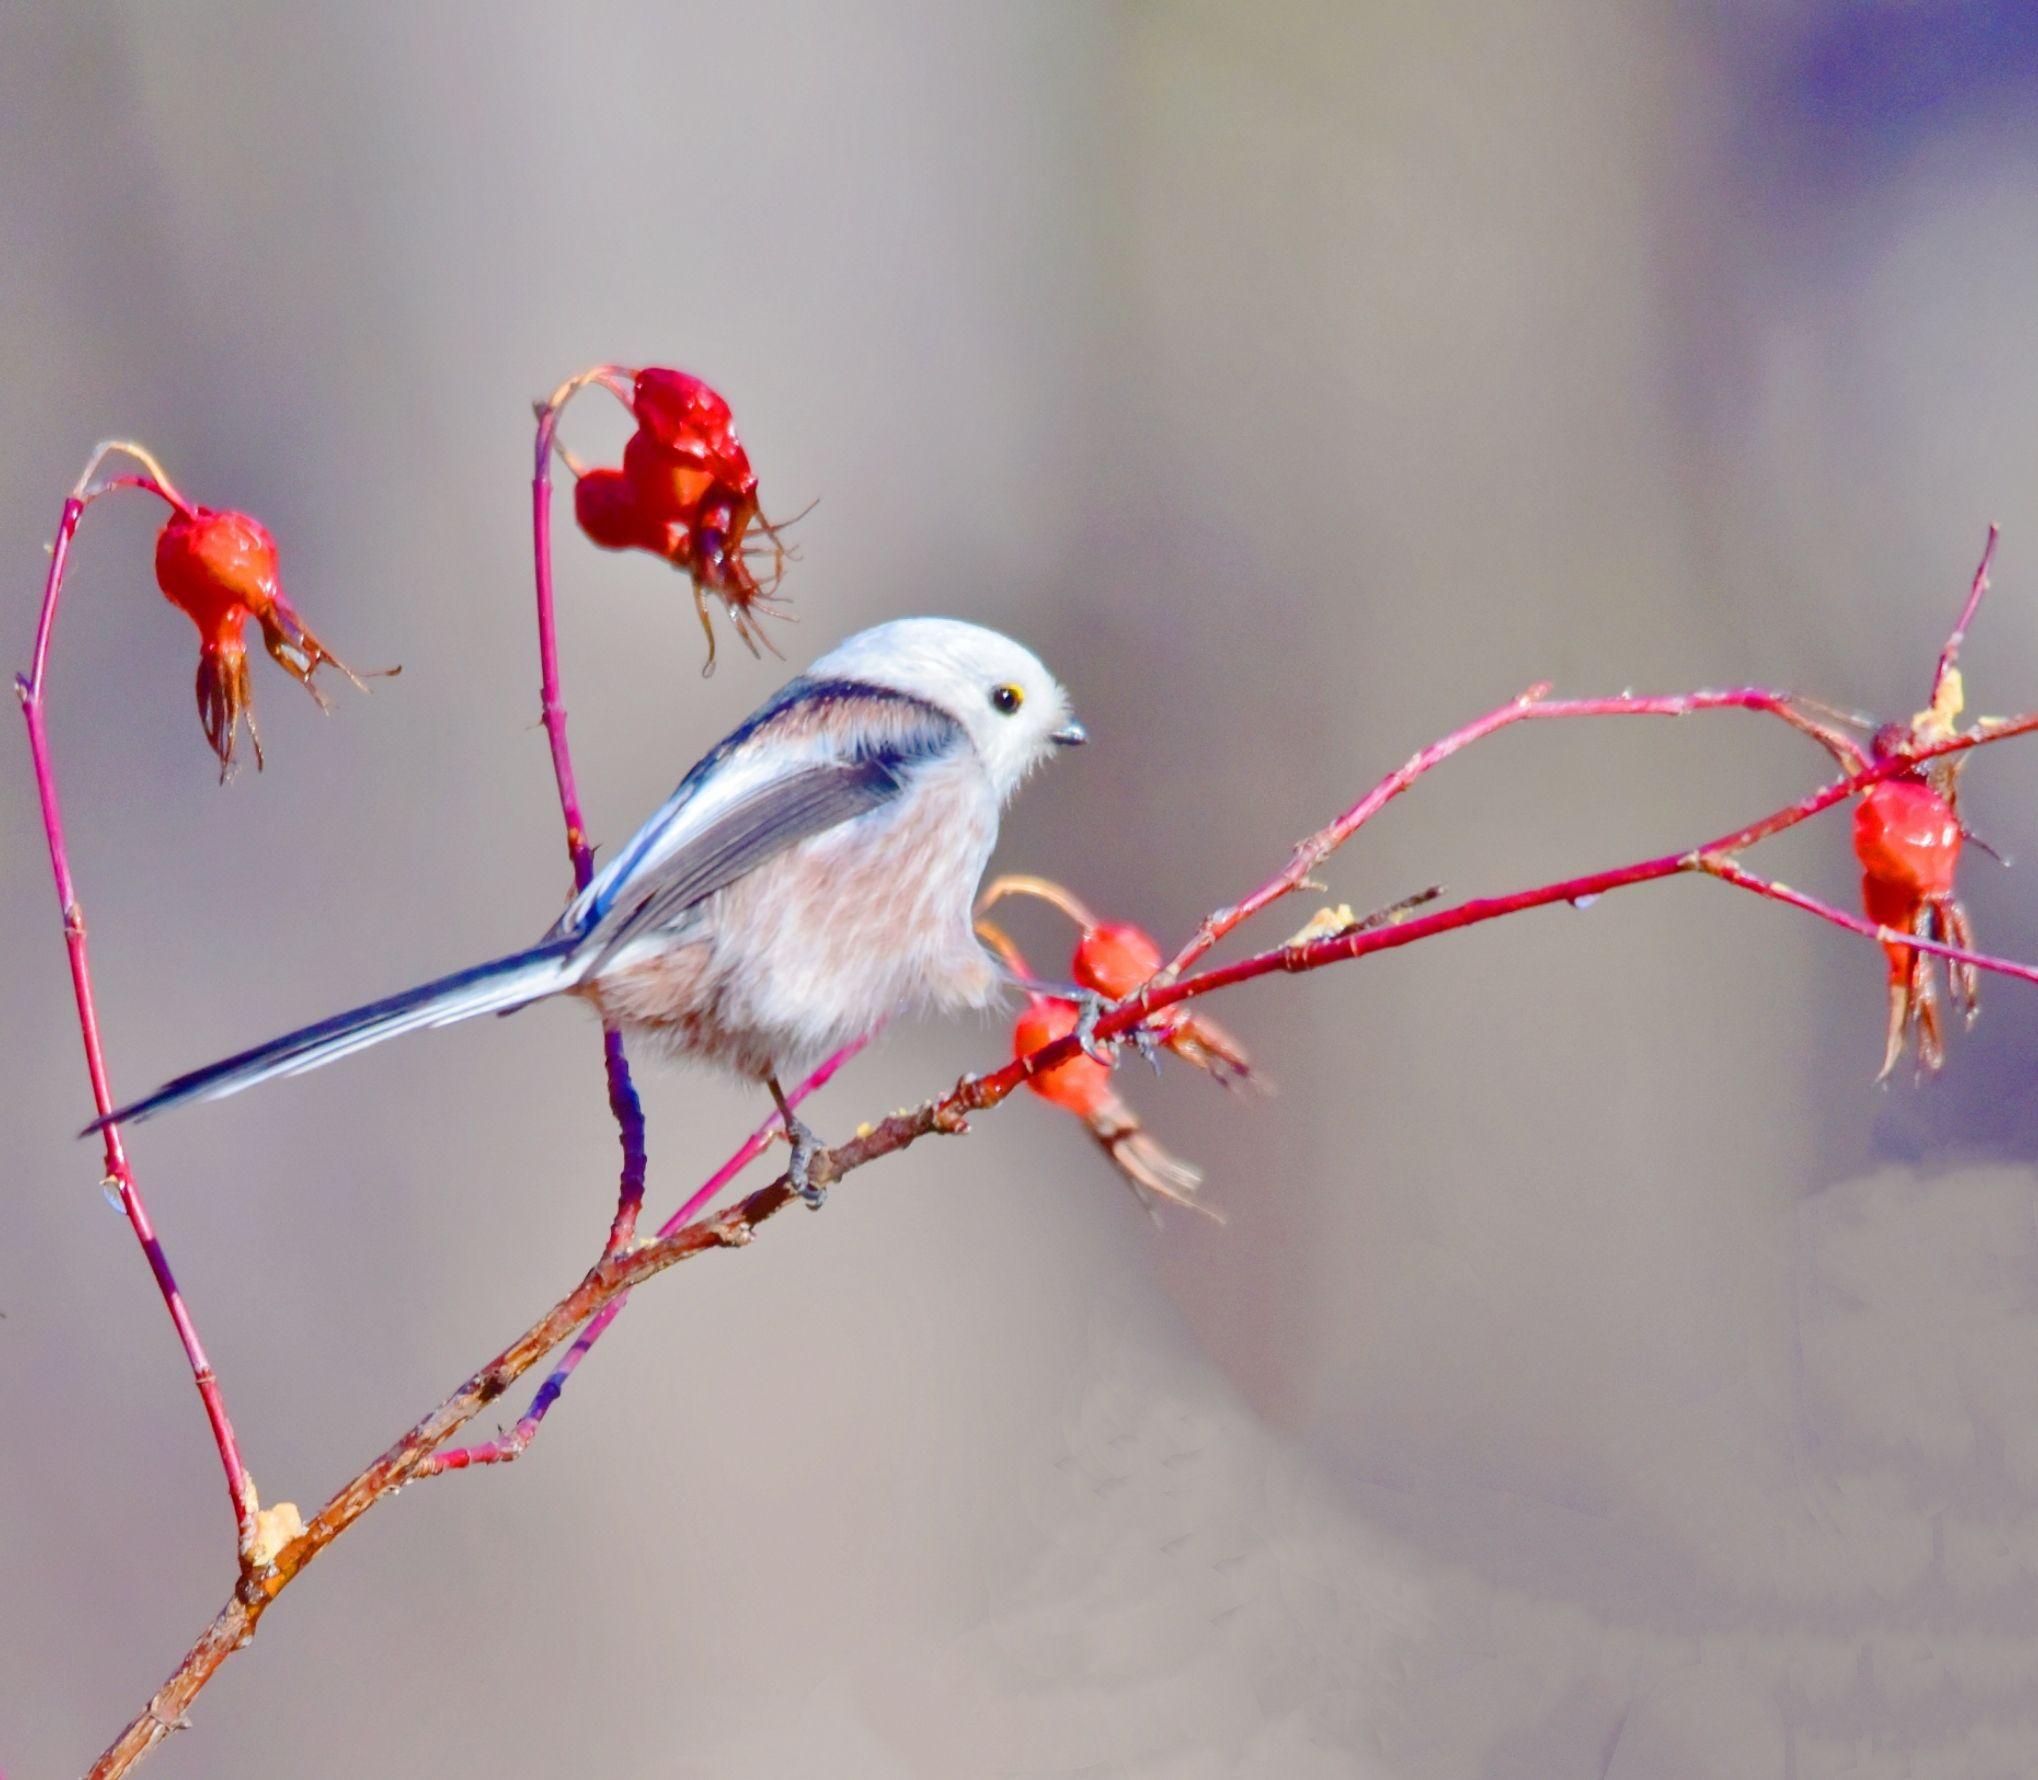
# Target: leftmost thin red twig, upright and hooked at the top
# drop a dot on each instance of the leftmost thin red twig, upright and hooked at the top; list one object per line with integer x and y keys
{"x": 32, "y": 690}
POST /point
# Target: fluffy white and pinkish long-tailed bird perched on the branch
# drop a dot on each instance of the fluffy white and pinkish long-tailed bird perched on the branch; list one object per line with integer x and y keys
{"x": 808, "y": 880}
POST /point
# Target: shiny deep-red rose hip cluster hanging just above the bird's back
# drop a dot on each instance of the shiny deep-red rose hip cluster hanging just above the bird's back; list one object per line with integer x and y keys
{"x": 686, "y": 492}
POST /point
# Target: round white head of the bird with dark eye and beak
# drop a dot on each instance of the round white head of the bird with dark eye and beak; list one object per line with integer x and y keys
{"x": 1010, "y": 706}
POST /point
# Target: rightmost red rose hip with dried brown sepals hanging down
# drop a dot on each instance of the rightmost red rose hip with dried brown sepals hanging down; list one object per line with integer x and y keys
{"x": 1909, "y": 841}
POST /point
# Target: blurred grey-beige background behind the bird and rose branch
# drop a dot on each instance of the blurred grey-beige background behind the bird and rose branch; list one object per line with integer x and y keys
{"x": 1597, "y": 1373}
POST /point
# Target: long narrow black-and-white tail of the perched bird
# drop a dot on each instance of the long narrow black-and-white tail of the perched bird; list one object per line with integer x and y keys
{"x": 492, "y": 988}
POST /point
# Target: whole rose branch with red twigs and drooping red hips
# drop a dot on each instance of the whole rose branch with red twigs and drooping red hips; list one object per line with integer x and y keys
{"x": 688, "y": 494}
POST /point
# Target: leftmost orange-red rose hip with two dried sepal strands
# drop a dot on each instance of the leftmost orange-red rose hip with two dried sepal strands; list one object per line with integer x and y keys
{"x": 221, "y": 570}
